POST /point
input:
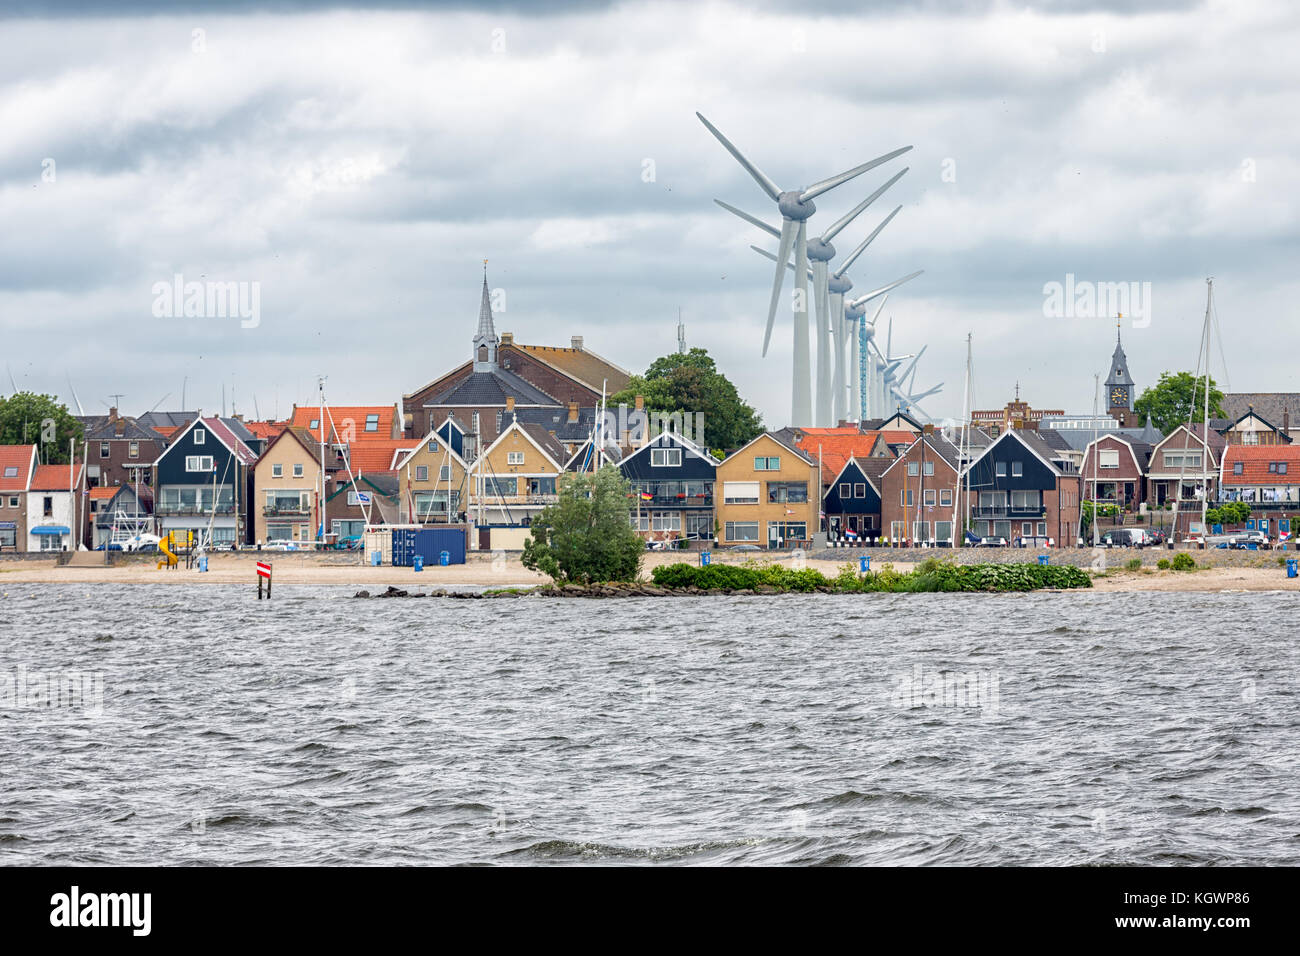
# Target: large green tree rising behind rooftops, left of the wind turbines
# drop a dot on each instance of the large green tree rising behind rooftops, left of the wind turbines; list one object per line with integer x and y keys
{"x": 691, "y": 383}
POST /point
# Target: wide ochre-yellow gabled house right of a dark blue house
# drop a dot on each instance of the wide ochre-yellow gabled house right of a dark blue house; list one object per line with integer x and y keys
{"x": 768, "y": 495}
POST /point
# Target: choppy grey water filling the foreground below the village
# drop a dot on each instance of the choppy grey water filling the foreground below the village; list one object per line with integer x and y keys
{"x": 1098, "y": 729}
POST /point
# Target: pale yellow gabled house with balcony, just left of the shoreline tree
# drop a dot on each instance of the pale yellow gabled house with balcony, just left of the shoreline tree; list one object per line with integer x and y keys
{"x": 515, "y": 478}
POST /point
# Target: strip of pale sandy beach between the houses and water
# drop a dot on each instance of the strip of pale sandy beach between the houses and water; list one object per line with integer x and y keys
{"x": 486, "y": 572}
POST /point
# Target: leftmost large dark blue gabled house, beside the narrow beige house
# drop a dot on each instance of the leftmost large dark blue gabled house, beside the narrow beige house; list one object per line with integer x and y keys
{"x": 205, "y": 483}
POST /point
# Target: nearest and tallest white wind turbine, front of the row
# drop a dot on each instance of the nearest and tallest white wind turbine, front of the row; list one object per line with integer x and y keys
{"x": 796, "y": 207}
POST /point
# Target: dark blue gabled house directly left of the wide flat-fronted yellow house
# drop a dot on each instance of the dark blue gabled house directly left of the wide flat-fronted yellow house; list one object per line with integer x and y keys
{"x": 673, "y": 490}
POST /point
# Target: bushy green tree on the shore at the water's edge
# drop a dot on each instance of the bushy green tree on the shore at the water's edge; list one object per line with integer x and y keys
{"x": 587, "y": 537}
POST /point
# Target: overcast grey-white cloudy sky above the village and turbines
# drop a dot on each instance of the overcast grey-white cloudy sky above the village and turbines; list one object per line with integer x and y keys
{"x": 361, "y": 163}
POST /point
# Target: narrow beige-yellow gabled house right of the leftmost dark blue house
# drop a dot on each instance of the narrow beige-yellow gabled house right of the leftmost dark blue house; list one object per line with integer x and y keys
{"x": 287, "y": 486}
